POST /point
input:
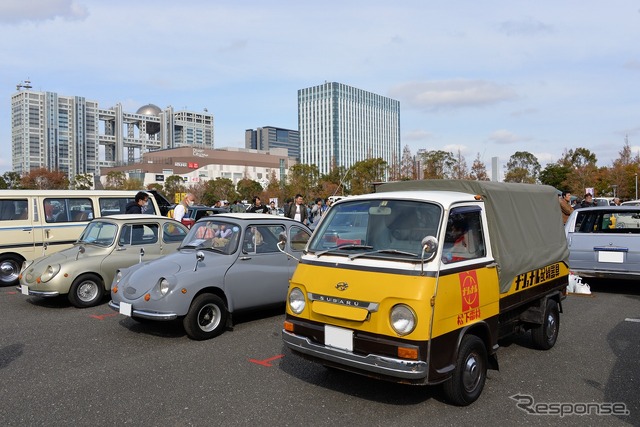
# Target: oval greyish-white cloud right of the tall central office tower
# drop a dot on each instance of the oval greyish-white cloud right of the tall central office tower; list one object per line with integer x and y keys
{"x": 447, "y": 94}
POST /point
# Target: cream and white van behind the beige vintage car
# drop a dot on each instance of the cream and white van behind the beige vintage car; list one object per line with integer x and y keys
{"x": 35, "y": 223}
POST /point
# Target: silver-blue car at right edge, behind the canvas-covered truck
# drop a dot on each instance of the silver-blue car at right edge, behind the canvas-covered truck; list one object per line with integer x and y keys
{"x": 604, "y": 242}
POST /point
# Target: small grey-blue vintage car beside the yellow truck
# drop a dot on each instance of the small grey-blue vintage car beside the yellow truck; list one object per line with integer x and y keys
{"x": 227, "y": 263}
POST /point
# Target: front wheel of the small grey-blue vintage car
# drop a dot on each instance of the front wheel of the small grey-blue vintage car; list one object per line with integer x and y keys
{"x": 207, "y": 317}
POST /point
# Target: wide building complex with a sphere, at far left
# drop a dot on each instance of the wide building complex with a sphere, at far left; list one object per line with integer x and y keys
{"x": 74, "y": 135}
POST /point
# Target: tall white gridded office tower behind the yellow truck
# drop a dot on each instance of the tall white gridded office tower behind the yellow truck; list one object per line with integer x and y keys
{"x": 341, "y": 125}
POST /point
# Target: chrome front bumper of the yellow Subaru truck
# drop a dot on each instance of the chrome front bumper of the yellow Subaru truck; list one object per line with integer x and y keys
{"x": 384, "y": 366}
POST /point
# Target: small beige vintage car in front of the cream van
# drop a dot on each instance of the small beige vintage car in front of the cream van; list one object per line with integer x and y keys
{"x": 85, "y": 271}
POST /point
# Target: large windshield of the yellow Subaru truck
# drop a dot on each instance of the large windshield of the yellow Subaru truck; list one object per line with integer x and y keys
{"x": 376, "y": 228}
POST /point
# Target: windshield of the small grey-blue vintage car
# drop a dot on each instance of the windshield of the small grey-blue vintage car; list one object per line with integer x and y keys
{"x": 218, "y": 236}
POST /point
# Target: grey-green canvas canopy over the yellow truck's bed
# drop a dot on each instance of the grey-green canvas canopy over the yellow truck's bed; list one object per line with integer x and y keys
{"x": 524, "y": 222}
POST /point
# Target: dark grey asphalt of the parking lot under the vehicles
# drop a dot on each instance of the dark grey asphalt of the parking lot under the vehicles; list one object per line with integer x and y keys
{"x": 60, "y": 365}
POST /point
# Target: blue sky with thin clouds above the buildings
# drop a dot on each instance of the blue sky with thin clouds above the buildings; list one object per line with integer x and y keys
{"x": 491, "y": 77}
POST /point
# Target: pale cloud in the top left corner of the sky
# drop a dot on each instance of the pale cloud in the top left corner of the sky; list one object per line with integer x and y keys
{"x": 19, "y": 11}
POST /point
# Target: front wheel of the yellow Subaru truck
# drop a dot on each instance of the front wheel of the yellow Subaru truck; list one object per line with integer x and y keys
{"x": 468, "y": 378}
